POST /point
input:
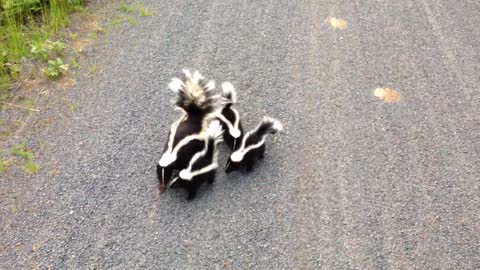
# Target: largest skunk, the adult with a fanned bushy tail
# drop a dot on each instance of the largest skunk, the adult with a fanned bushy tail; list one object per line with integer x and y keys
{"x": 197, "y": 102}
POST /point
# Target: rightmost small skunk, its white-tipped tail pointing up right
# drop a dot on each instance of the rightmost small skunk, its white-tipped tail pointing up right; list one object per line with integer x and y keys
{"x": 253, "y": 145}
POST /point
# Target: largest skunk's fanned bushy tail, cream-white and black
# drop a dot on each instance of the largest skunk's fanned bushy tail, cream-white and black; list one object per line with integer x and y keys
{"x": 195, "y": 94}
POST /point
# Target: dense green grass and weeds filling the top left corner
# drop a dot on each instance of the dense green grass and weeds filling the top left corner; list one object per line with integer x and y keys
{"x": 26, "y": 28}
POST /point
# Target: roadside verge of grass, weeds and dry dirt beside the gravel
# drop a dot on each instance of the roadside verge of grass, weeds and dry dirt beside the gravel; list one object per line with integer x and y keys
{"x": 55, "y": 54}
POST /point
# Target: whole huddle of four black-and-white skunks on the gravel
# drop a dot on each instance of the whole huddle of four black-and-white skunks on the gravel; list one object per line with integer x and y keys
{"x": 190, "y": 154}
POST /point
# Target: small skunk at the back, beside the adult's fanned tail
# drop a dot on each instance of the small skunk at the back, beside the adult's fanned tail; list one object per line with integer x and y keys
{"x": 230, "y": 118}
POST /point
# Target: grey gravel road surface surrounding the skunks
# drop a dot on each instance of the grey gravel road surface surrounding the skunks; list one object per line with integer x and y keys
{"x": 352, "y": 183}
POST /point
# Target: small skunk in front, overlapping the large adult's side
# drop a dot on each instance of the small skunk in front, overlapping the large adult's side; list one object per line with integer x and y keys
{"x": 202, "y": 167}
